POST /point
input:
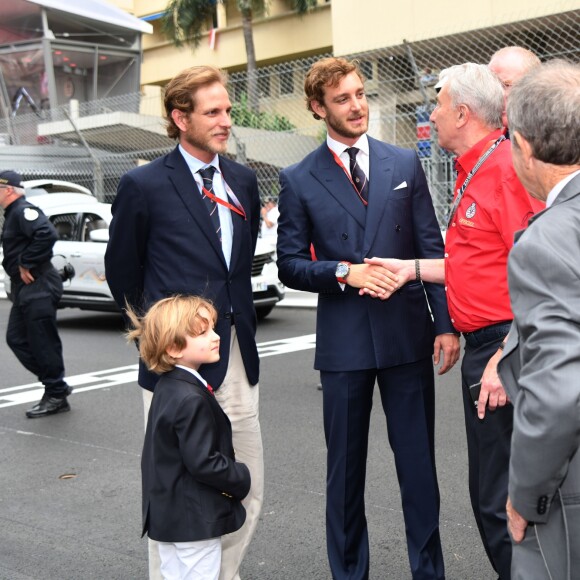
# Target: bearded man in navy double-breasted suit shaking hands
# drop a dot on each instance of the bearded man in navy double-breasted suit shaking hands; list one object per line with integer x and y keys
{"x": 351, "y": 205}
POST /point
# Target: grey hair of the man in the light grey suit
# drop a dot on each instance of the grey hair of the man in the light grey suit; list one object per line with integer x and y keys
{"x": 543, "y": 107}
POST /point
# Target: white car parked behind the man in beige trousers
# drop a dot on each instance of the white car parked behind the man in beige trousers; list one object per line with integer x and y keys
{"x": 82, "y": 224}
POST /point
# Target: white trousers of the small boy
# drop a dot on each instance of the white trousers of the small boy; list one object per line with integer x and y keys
{"x": 191, "y": 560}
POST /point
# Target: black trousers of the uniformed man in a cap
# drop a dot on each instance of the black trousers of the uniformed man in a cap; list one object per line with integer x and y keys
{"x": 32, "y": 333}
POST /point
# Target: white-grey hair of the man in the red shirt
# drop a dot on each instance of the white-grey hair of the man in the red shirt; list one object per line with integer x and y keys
{"x": 477, "y": 87}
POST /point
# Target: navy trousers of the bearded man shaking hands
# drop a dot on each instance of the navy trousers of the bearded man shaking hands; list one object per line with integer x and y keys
{"x": 408, "y": 399}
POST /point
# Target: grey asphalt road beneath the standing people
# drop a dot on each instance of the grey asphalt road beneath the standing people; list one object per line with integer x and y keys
{"x": 70, "y": 484}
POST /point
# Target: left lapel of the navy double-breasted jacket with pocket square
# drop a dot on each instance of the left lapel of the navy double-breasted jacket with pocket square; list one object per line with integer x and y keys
{"x": 337, "y": 184}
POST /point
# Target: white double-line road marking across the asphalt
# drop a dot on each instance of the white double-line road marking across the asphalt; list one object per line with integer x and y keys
{"x": 22, "y": 394}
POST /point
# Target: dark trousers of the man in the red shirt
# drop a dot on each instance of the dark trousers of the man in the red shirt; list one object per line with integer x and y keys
{"x": 488, "y": 449}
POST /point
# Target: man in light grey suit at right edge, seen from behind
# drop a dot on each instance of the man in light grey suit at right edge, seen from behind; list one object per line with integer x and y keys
{"x": 540, "y": 365}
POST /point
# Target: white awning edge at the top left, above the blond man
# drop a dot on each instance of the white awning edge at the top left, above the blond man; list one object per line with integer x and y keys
{"x": 97, "y": 10}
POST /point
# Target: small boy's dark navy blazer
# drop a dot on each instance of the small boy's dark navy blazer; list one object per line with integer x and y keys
{"x": 192, "y": 485}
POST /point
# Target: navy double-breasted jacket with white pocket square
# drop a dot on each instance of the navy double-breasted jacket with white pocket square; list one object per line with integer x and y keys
{"x": 318, "y": 205}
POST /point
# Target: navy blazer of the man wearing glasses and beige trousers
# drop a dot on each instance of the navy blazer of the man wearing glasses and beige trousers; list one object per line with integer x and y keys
{"x": 162, "y": 243}
